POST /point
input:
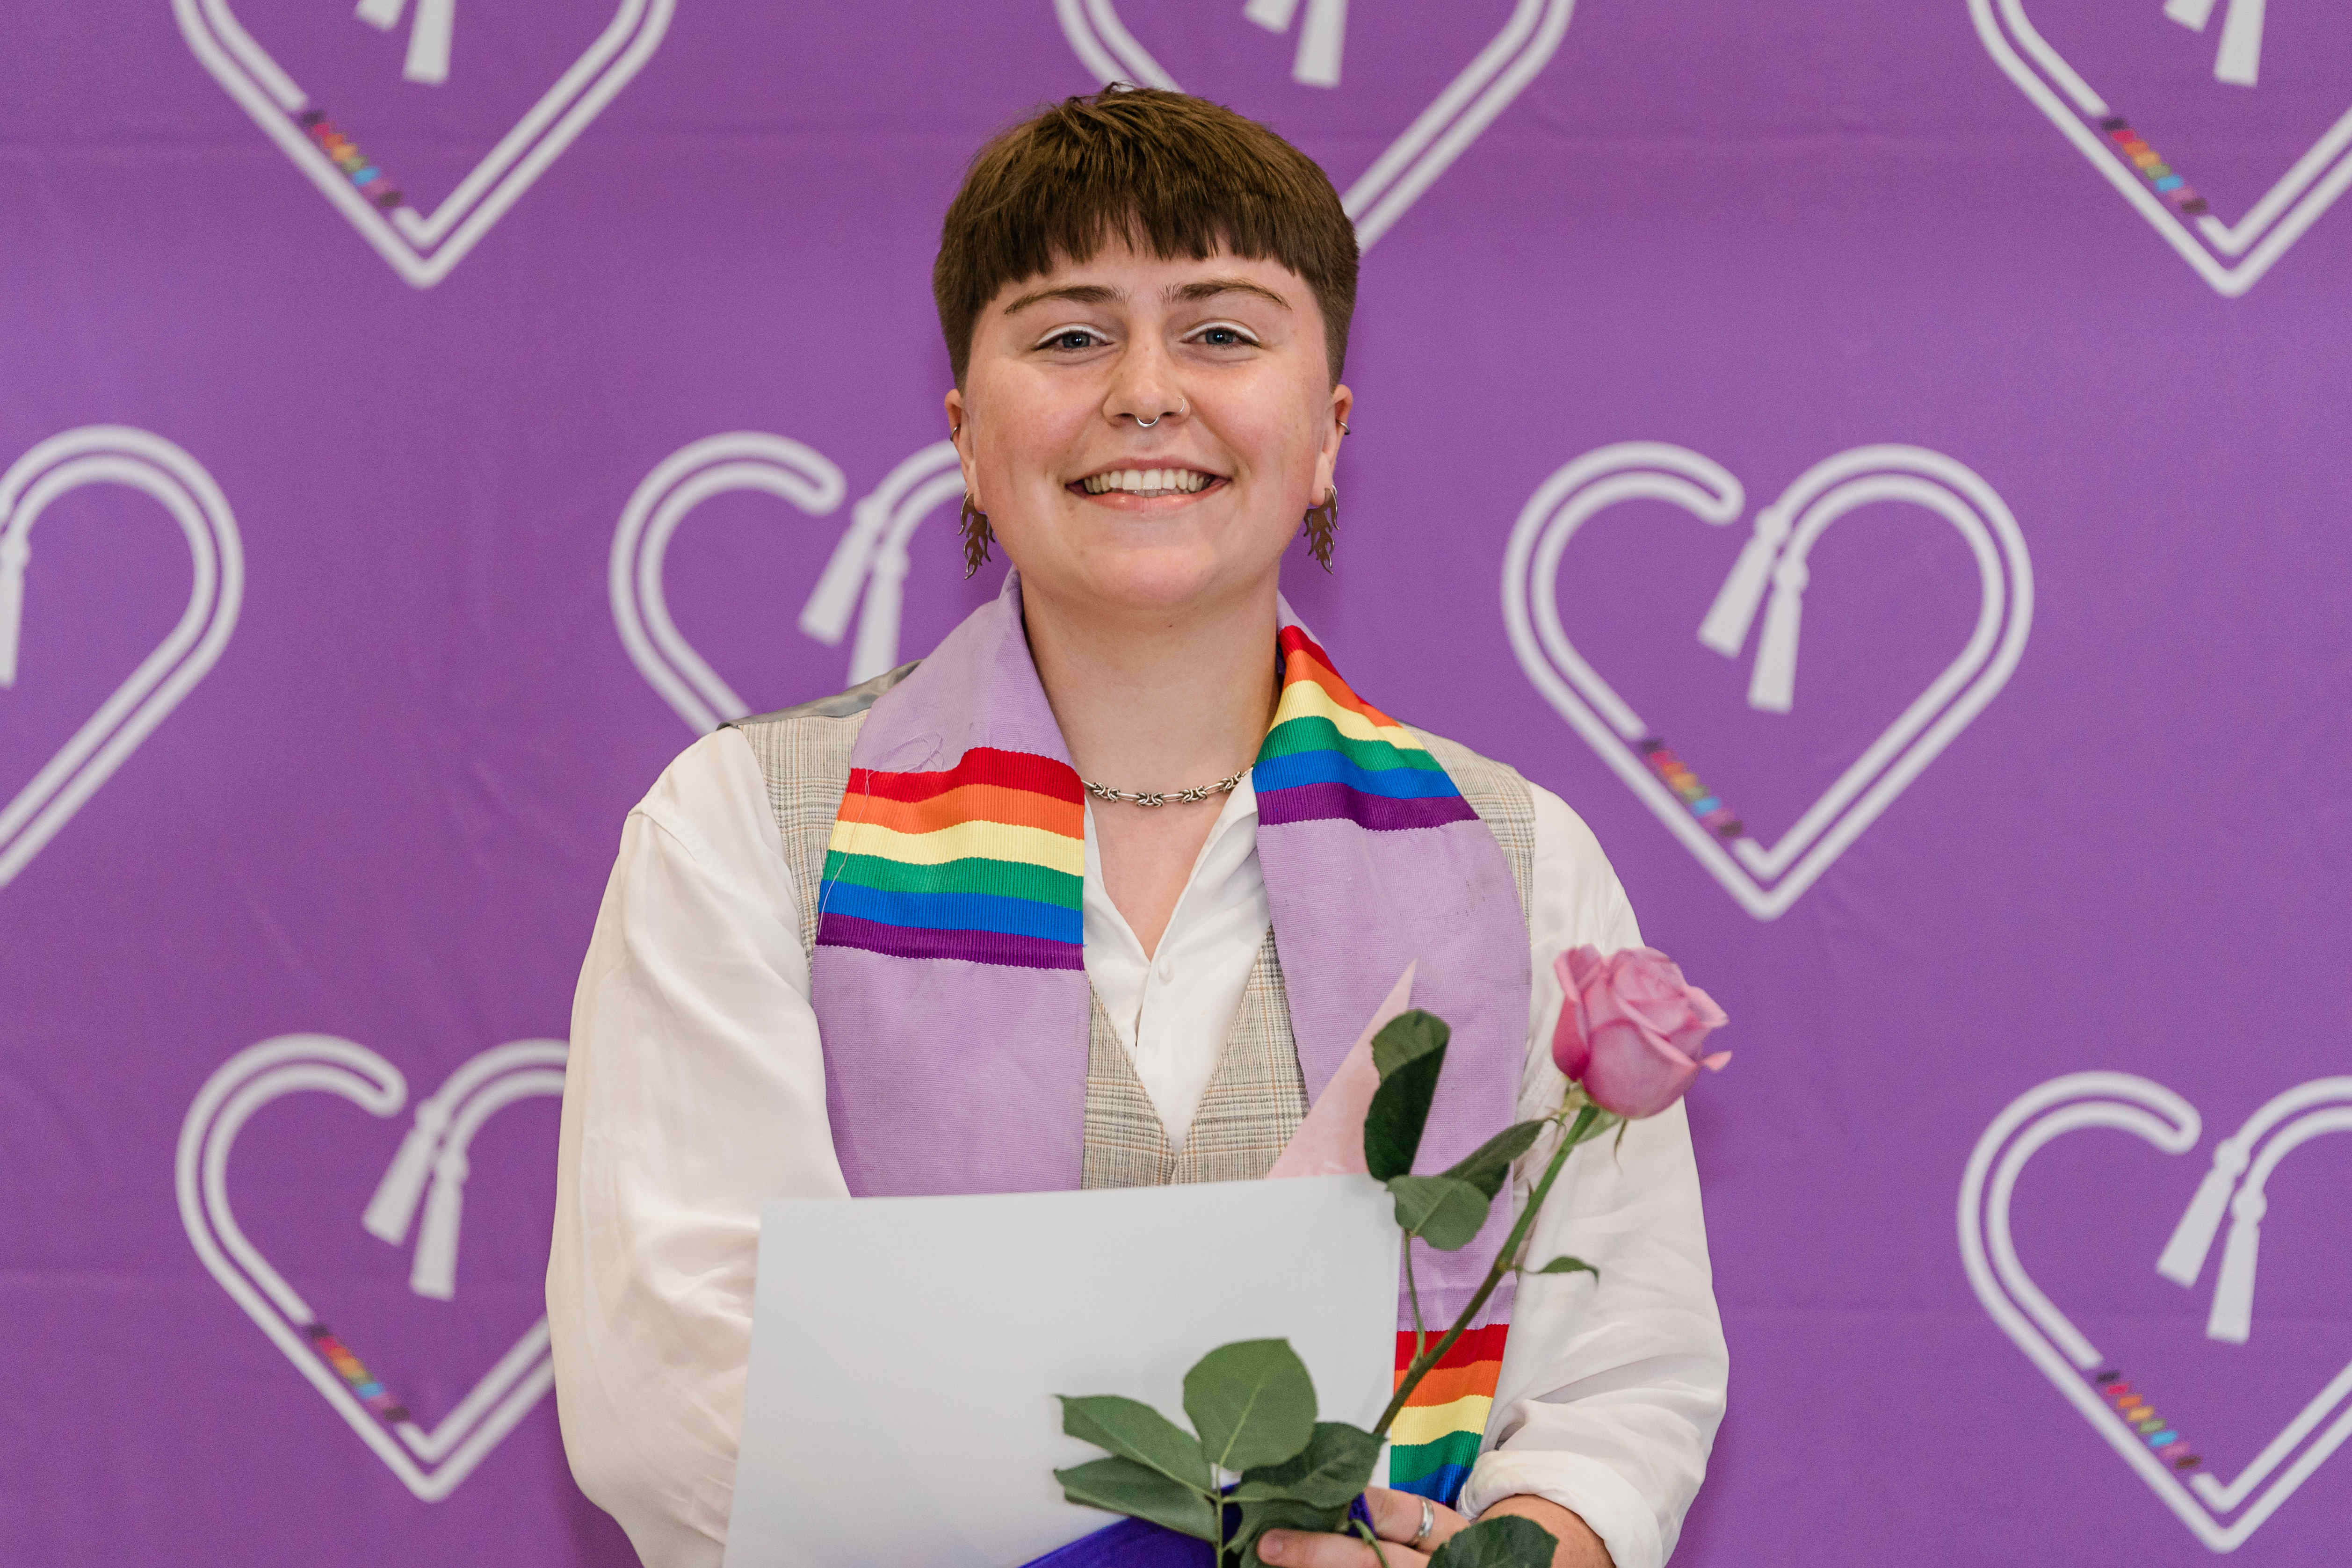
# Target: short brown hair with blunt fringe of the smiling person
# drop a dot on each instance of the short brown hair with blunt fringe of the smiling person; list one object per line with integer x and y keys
{"x": 1161, "y": 170}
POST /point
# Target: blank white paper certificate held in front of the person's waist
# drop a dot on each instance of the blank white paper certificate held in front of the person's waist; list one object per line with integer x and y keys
{"x": 907, "y": 1353}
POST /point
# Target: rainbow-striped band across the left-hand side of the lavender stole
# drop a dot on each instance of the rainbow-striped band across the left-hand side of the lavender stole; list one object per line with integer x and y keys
{"x": 984, "y": 862}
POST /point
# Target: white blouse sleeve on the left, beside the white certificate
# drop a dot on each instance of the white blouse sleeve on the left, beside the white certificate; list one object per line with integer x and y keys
{"x": 695, "y": 1094}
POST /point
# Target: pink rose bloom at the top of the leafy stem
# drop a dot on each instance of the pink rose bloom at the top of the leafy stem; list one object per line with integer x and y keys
{"x": 1631, "y": 1028}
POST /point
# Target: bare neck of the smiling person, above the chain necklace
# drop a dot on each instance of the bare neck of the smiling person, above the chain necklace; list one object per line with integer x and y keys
{"x": 1158, "y": 702}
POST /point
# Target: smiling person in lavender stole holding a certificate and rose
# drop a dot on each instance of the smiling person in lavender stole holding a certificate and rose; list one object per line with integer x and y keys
{"x": 1135, "y": 847}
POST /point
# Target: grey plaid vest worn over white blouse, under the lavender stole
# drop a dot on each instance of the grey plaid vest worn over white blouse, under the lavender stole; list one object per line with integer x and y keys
{"x": 1257, "y": 1097}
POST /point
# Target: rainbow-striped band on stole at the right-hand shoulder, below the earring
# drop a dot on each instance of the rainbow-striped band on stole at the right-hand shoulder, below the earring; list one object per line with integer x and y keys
{"x": 1335, "y": 756}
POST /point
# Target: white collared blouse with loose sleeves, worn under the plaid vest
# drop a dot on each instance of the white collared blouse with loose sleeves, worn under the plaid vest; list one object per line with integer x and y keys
{"x": 697, "y": 1092}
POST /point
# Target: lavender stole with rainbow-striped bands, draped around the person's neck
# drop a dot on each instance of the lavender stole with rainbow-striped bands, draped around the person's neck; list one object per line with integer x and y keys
{"x": 949, "y": 974}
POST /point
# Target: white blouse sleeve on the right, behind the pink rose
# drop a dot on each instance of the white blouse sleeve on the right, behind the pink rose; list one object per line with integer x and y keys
{"x": 1612, "y": 1388}
